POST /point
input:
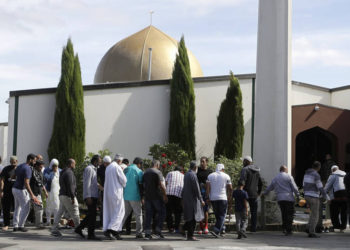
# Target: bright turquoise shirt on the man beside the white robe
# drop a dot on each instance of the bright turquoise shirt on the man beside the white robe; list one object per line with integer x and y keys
{"x": 134, "y": 177}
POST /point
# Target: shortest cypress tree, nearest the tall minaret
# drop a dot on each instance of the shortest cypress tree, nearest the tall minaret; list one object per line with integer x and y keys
{"x": 230, "y": 124}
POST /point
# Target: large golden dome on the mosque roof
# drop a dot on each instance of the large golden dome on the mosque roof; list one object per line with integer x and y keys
{"x": 128, "y": 59}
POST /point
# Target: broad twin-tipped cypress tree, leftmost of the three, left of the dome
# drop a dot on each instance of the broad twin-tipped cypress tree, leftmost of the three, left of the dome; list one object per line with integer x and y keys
{"x": 68, "y": 135}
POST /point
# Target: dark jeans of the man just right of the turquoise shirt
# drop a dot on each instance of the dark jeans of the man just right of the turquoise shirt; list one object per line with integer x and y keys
{"x": 156, "y": 207}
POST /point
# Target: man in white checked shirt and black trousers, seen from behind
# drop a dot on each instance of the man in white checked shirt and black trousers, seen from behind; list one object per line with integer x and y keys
{"x": 174, "y": 185}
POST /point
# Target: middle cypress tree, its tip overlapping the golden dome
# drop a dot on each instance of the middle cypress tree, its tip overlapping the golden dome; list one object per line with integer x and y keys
{"x": 182, "y": 103}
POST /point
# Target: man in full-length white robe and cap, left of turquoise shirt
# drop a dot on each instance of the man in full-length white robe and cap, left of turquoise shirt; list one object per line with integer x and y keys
{"x": 113, "y": 201}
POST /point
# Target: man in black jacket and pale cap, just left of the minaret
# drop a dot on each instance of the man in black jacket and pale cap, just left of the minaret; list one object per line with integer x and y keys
{"x": 250, "y": 174}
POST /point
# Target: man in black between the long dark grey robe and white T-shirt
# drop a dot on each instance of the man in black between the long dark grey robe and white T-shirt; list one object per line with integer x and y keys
{"x": 202, "y": 175}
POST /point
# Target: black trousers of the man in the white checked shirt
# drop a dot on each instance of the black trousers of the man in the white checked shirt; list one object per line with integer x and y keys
{"x": 173, "y": 206}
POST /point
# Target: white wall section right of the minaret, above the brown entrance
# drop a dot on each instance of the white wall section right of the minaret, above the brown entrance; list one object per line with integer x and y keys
{"x": 307, "y": 95}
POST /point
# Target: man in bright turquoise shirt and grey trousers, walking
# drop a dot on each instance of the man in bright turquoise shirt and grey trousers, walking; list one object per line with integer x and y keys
{"x": 133, "y": 192}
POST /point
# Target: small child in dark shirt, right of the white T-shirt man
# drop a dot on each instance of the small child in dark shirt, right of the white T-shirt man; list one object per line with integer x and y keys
{"x": 241, "y": 209}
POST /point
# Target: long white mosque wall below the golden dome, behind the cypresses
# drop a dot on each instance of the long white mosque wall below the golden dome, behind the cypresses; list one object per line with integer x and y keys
{"x": 125, "y": 120}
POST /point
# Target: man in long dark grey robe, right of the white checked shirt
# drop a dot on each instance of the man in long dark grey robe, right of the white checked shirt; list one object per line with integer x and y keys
{"x": 193, "y": 201}
